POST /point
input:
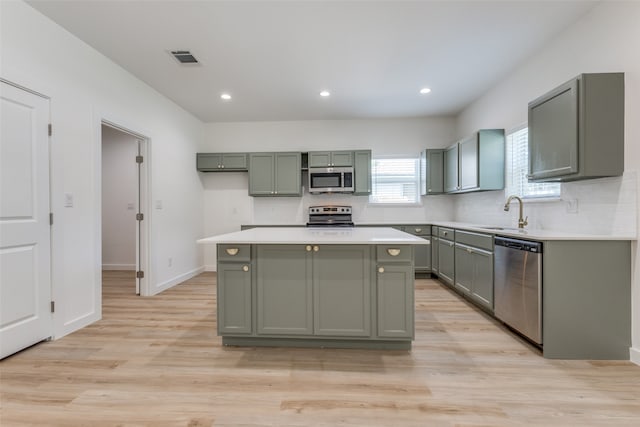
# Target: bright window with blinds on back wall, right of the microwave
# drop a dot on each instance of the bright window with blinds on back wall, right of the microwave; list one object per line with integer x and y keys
{"x": 395, "y": 181}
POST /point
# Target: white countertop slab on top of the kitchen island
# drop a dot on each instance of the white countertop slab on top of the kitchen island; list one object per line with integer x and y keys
{"x": 319, "y": 235}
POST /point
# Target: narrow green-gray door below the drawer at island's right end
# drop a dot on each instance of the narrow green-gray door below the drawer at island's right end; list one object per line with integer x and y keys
{"x": 395, "y": 301}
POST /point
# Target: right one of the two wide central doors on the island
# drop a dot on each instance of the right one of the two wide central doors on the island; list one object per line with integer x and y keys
{"x": 342, "y": 290}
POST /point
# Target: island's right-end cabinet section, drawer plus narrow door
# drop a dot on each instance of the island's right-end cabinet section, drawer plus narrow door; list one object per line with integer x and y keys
{"x": 394, "y": 284}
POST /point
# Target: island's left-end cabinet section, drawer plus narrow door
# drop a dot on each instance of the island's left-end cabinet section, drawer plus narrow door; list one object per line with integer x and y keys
{"x": 234, "y": 289}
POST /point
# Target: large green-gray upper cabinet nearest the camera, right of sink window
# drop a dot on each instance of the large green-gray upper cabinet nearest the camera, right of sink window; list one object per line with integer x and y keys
{"x": 576, "y": 131}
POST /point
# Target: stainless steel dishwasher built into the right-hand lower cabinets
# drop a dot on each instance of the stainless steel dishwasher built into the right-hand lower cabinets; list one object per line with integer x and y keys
{"x": 518, "y": 285}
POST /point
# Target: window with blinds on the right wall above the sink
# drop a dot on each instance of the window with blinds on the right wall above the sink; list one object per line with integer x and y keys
{"x": 518, "y": 166}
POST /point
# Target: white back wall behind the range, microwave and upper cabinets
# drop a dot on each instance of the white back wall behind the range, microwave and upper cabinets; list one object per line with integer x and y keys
{"x": 226, "y": 201}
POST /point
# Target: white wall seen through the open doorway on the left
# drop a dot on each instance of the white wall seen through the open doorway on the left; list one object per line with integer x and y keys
{"x": 119, "y": 199}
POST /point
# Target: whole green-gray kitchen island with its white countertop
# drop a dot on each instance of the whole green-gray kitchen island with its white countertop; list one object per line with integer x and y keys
{"x": 316, "y": 287}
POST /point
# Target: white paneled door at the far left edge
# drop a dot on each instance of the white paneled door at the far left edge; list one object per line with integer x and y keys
{"x": 25, "y": 251}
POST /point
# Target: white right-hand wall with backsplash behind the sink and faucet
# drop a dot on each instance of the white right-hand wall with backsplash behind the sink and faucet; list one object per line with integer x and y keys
{"x": 606, "y": 40}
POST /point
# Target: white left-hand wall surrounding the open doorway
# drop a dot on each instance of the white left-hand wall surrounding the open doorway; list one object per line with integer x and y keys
{"x": 85, "y": 87}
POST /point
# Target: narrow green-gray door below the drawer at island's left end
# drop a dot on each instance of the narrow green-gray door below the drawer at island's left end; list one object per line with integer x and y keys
{"x": 234, "y": 298}
